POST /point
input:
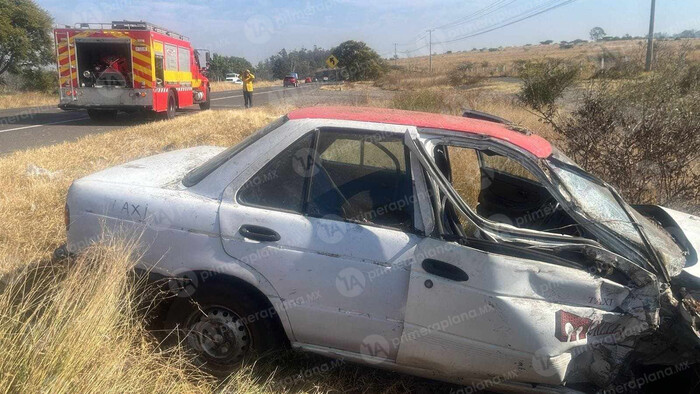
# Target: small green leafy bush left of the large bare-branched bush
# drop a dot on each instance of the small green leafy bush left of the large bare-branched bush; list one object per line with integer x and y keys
{"x": 544, "y": 83}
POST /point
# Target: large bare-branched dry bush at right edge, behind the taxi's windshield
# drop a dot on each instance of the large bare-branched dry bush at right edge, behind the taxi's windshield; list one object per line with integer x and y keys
{"x": 643, "y": 136}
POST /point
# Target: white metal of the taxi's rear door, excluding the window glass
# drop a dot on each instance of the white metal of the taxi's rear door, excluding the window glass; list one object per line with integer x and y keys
{"x": 309, "y": 247}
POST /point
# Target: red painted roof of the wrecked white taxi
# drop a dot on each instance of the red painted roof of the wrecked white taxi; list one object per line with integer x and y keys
{"x": 534, "y": 144}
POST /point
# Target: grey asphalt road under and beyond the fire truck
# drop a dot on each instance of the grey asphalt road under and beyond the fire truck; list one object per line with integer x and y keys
{"x": 24, "y": 128}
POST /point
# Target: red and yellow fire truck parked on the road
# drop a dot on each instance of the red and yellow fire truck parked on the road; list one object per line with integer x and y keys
{"x": 128, "y": 66}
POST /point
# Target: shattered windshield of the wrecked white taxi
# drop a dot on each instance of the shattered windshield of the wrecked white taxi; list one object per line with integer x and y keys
{"x": 598, "y": 204}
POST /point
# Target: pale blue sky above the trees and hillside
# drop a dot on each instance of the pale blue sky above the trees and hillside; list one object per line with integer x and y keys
{"x": 257, "y": 29}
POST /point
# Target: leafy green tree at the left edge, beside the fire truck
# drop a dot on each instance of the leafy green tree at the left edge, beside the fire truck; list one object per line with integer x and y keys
{"x": 25, "y": 36}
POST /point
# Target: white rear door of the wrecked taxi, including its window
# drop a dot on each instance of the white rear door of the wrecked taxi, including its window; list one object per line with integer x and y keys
{"x": 327, "y": 220}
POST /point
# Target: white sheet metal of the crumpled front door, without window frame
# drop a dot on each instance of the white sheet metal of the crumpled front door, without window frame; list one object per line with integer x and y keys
{"x": 506, "y": 313}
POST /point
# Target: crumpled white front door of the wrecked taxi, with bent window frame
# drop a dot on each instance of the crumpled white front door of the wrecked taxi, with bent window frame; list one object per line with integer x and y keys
{"x": 481, "y": 309}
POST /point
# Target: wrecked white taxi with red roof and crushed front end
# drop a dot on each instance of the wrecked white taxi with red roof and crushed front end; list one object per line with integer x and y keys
{"x": 457, "y": 248}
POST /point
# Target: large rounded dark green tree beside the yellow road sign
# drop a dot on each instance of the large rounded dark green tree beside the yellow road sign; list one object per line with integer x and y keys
{"x": 358, "y": 61}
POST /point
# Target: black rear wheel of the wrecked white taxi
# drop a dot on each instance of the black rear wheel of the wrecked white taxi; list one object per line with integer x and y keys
{"x": 221, "y": 325}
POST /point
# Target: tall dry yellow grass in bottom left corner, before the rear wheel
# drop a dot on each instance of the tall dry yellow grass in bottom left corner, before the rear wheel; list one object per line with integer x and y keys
{"x": 73, "y": 328}
